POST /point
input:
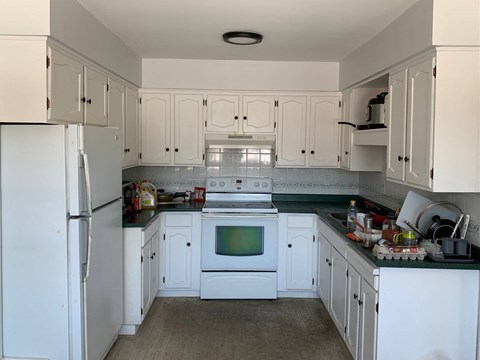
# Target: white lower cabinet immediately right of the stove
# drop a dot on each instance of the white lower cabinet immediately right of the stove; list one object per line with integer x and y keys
{"x": 297, "y": 250}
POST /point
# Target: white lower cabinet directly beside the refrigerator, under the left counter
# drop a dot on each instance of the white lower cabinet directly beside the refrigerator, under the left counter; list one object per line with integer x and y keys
{"x": 140, "y": 280}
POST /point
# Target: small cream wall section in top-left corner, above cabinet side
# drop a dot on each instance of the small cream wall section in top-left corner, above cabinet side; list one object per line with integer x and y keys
{"x": 24, "y": 17}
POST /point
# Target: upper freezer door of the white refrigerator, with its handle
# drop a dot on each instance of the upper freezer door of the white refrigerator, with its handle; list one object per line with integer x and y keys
{"x": 95, "y": 159}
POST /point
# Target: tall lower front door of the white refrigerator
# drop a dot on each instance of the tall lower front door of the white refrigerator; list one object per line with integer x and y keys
{"x": 103, "y": 287}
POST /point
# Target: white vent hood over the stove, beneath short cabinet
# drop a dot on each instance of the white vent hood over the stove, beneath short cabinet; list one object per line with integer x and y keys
{"x": 236, "y": 141}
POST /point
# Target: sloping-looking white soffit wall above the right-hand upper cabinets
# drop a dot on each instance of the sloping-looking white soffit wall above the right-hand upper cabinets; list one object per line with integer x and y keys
{"x": 408, "y": 35}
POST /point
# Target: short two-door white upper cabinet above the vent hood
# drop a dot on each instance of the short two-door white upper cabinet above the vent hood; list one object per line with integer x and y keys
{"x": 240, "y": 113}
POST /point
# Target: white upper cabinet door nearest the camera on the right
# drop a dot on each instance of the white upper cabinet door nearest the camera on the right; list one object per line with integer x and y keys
{"x": 420, "y": 123}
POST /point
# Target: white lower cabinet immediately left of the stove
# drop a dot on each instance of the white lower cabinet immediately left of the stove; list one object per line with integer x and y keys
{"x": 180, "y": 254}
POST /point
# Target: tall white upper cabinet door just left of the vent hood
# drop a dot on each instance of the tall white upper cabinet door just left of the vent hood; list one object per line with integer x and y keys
{"x": 188, "y": 129}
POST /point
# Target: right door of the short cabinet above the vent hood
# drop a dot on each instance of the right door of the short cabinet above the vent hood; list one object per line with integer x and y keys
{"x": 258, "y": 114}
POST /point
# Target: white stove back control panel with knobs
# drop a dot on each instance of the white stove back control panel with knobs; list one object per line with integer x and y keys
{"x": 239, "y": 185}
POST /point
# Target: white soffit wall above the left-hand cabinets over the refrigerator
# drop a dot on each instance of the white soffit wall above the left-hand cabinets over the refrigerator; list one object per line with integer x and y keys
{"x": 74, "y": 26}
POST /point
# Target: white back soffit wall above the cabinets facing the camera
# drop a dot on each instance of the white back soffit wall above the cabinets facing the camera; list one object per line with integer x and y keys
{"x": 239, "y": 75}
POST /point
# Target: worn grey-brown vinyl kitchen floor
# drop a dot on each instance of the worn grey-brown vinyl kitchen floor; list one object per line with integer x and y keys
{"x": 191, "y": 329}
